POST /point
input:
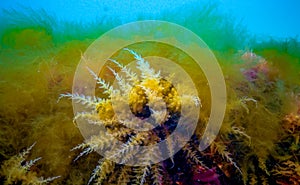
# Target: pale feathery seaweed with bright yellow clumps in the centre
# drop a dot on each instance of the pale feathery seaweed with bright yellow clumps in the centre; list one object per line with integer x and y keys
{"x": 137, "y": 99}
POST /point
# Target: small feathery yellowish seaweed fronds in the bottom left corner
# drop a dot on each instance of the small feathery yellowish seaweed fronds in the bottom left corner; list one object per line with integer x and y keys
{"x": 17, "y": 170}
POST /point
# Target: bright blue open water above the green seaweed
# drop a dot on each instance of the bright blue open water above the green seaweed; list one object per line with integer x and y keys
{"x": 263, "y": 18}
